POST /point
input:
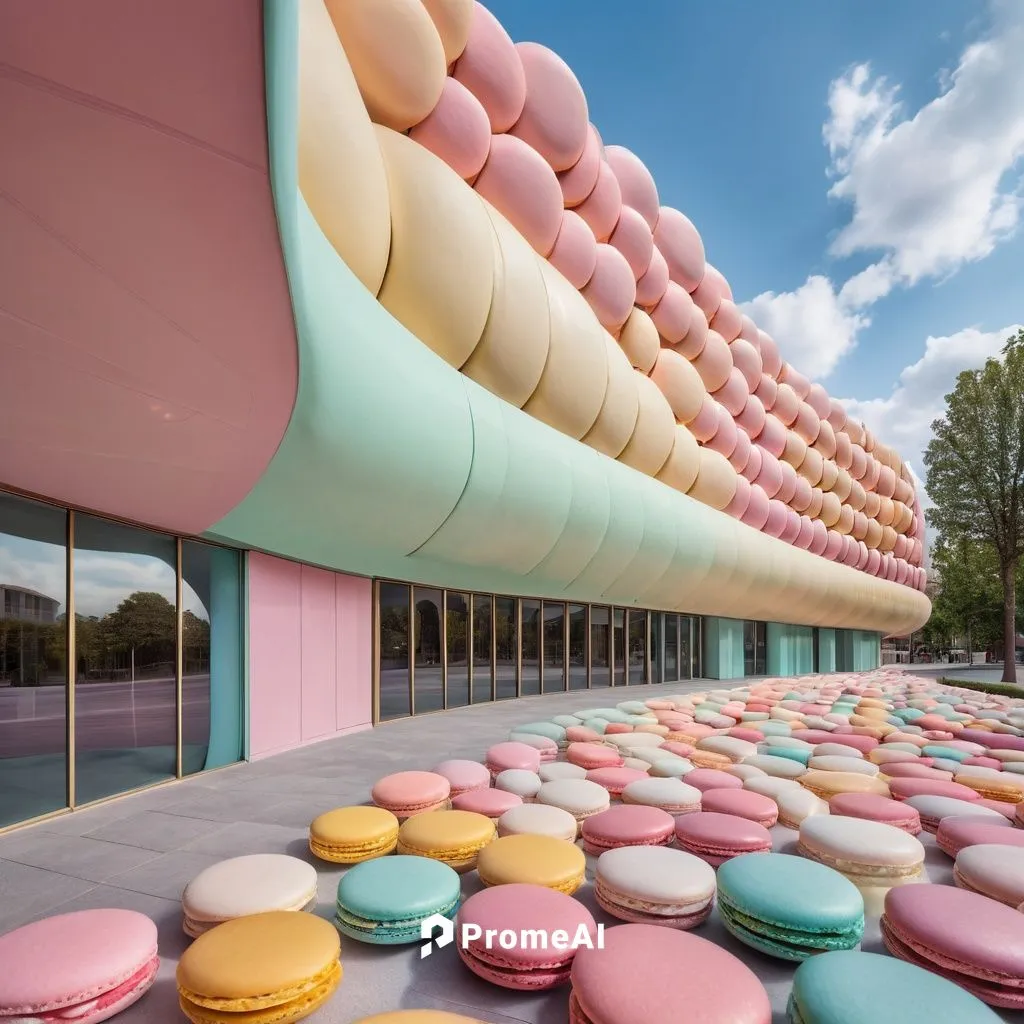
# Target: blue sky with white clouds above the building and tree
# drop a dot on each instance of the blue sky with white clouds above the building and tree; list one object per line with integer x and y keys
{"x": 734, "y": 106}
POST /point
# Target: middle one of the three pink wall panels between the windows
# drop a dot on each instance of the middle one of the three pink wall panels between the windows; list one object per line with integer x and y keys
{"x": 320, "y": 654}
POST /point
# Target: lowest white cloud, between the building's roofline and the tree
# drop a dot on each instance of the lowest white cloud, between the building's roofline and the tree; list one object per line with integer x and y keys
{"x": 905, "y": 418}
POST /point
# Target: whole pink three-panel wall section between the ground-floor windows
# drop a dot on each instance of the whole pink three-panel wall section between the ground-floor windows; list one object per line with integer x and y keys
{"x": 310, "y": 652}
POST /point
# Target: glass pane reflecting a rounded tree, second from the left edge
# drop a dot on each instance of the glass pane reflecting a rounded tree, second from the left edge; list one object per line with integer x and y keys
{"x": 125, "y": 621}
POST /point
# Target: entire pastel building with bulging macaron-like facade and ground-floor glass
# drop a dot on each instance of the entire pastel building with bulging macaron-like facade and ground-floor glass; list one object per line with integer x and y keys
{"x": 377, "y": 388}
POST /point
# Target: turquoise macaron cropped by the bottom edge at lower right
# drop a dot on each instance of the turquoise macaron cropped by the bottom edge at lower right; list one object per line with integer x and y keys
{"x": 852, "y": 988}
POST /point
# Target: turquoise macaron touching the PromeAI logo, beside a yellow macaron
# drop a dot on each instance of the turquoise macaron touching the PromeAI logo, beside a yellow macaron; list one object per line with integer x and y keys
{"x": 383, "y": 902}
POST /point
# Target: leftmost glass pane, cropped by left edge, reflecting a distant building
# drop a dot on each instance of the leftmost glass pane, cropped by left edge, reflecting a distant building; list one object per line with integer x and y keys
{"x": 33, "y": 653}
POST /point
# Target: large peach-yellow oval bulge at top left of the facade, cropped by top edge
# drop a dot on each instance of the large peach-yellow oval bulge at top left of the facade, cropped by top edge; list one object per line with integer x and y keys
{"x": 397, "y": 56}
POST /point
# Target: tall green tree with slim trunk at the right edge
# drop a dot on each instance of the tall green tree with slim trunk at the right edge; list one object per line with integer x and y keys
{"x": 975, "y": 466}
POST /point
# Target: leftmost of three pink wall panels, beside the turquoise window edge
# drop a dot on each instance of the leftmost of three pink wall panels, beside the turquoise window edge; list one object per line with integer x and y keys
{"x": 275, "y": 654}
